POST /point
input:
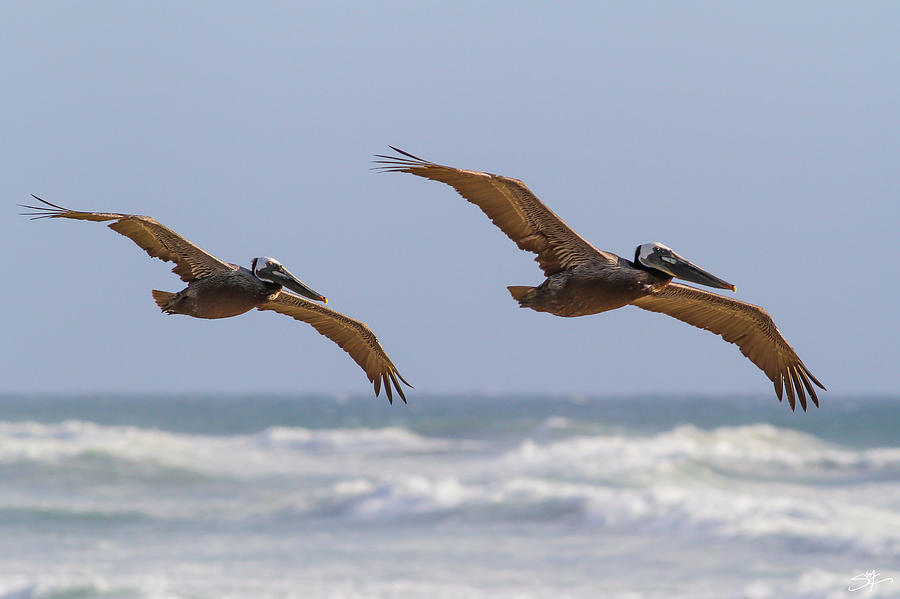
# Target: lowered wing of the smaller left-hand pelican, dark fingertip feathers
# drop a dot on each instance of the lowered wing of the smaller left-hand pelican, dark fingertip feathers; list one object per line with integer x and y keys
{"x": 354, "y": 337}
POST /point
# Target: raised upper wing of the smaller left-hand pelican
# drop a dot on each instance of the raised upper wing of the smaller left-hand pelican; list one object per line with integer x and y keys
{"x": 191, "y": 263}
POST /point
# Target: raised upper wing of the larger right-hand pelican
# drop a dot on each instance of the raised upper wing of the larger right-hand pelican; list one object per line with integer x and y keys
{"x": 512, "y": 207}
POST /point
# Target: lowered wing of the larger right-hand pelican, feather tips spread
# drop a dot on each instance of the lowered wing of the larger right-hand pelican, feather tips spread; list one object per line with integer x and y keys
{"x": 747, "y": 326}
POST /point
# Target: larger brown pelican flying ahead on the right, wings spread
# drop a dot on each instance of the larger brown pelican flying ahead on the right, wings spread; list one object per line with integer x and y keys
{"x": 583, "y": 280}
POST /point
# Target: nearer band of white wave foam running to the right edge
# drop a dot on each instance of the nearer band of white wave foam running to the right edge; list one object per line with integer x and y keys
{"x": 747, "y": 510}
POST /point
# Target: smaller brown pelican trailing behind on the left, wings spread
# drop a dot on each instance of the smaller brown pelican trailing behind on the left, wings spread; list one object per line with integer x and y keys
{"x": 217, "y": 289}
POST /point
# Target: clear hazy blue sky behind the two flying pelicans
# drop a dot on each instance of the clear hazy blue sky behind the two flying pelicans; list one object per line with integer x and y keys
{"x": 760, "y": 140}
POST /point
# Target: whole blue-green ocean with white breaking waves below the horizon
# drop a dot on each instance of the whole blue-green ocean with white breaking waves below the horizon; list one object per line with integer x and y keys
{"x": 450, "y": 497}
